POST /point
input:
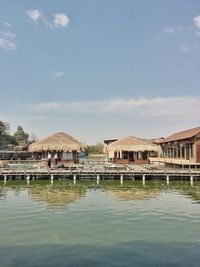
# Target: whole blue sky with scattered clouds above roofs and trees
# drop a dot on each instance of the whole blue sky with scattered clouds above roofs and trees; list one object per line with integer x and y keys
{"x": 100, "y": 69}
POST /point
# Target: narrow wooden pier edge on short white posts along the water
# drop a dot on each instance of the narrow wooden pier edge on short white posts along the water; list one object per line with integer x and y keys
{"x": 121, "y": 174}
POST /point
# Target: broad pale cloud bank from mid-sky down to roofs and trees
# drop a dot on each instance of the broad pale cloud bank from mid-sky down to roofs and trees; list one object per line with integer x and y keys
{"x": 142, "y": 117}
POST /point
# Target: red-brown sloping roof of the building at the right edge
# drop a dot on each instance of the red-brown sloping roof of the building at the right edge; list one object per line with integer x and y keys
{"x": 182, "y": 135}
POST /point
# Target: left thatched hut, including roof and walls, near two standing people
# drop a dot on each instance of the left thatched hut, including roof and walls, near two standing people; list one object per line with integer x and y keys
{"x": 66, "y": 146}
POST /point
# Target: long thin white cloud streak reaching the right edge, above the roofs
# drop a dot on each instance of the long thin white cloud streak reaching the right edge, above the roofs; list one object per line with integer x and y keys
{"x": 138, "y": 107}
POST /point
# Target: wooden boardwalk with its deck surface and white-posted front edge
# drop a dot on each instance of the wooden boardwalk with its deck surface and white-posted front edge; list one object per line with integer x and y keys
{"x": 99, "y": 172}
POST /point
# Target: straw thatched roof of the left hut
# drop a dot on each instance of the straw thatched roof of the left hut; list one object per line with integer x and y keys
{"x": 59, "y": 142}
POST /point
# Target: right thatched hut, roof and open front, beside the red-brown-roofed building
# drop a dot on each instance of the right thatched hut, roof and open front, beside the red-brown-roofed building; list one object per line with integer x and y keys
{"x": 131, "y": 150}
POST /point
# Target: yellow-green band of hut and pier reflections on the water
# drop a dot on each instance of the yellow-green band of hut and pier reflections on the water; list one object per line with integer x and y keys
{"x": 64, "y": 192}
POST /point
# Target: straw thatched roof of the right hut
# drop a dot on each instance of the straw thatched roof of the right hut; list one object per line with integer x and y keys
{"x": 132, "y": 143}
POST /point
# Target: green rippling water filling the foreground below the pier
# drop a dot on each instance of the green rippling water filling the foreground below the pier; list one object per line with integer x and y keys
{"x": 110, "y": 224}
